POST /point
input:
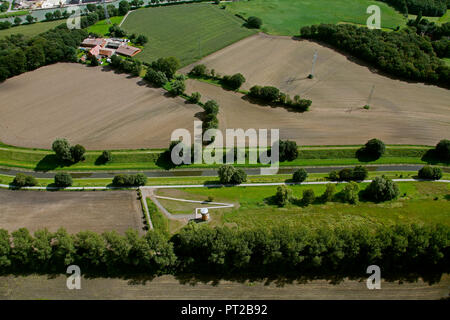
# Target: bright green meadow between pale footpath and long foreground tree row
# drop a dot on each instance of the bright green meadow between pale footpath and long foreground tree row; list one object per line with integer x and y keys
{"x": 424, "y": 202}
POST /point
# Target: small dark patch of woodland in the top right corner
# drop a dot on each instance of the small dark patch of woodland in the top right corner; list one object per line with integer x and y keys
{"x": 433, "y": 8}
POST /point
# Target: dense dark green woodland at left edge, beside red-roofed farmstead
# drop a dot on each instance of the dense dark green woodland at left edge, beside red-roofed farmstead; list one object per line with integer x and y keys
{"x": 19, "y": 54}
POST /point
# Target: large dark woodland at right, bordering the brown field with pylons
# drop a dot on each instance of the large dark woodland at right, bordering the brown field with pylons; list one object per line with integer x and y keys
{"x": 401, "y": 53}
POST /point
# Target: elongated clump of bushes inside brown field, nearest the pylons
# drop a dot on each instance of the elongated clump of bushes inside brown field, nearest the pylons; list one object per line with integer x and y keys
{"x": 273, "y": 95}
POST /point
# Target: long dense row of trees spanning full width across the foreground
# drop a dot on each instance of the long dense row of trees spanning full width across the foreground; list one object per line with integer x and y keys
{"x": 399, "y": 249}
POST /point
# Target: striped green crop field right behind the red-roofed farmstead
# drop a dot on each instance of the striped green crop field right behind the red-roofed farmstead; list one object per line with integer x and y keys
{"x": 187, "y": 32}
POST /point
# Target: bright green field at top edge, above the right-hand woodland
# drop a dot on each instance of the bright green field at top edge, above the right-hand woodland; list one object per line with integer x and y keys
{"x": 285, "y": 17}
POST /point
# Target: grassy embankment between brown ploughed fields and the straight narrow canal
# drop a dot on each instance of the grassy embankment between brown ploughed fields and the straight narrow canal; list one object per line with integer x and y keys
{"x": 45, "y": 160}
